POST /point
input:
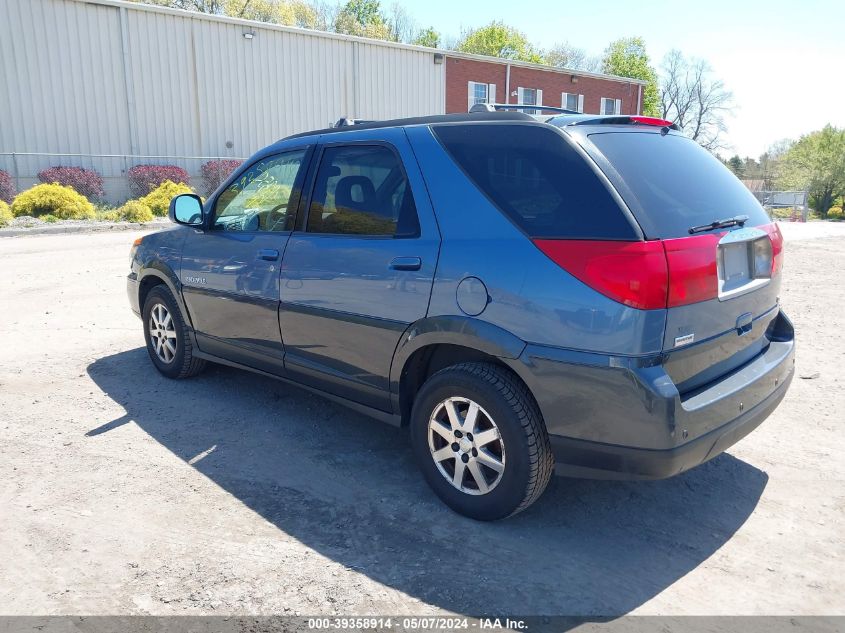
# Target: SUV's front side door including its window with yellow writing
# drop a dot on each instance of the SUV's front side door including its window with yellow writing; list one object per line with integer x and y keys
{"x": 230, "y": 271}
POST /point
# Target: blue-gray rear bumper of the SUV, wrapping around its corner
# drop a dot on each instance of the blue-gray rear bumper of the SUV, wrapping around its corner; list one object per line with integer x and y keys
{"x": 616, "y": 417}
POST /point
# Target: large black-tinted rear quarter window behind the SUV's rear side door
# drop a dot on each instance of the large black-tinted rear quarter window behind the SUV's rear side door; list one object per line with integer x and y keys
{"x": 541, "y": 183}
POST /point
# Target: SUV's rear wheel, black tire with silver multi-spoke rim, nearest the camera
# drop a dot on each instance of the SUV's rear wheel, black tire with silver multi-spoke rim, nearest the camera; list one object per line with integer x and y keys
{"x": 484, "y": 417}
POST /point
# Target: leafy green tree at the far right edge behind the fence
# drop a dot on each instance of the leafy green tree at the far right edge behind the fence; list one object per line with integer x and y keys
{"x": 817, "y": 163}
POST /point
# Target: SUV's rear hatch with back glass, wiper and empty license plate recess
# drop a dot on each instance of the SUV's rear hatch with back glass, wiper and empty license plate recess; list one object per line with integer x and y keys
{"x": 723, "y": 252}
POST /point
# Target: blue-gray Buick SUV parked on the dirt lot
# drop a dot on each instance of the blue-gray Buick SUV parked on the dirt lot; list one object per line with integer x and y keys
{"x": 593, "y": 296}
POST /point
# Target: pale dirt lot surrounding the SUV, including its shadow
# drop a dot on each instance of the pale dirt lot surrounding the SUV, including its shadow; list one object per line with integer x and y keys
{"x": 123, "y": 492}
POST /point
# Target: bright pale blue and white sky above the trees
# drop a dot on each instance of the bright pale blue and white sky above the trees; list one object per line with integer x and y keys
{"x": 783, "y": 61}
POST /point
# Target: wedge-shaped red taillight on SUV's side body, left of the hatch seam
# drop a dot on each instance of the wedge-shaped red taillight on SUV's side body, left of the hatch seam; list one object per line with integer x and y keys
{"x": 633, "y": 273}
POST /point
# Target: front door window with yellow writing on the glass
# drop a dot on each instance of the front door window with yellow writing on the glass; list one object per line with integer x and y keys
{"x": 258, "y": 199}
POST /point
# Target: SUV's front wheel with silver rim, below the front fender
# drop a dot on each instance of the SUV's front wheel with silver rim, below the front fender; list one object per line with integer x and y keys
{"x": 167, "y": 336}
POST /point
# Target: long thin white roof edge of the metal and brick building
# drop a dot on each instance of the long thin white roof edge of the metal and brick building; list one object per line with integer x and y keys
{"x": 197, "y": 15}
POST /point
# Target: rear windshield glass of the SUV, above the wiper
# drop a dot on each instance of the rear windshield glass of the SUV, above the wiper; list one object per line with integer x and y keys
{"x": 674, "y": 183}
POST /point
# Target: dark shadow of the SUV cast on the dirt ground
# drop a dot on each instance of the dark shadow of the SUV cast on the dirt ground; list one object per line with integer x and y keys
{"x": 346, "y": 486}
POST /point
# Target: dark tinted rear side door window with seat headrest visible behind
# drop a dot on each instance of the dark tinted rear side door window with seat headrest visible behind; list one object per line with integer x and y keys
{"x": 362, "y": 190}
